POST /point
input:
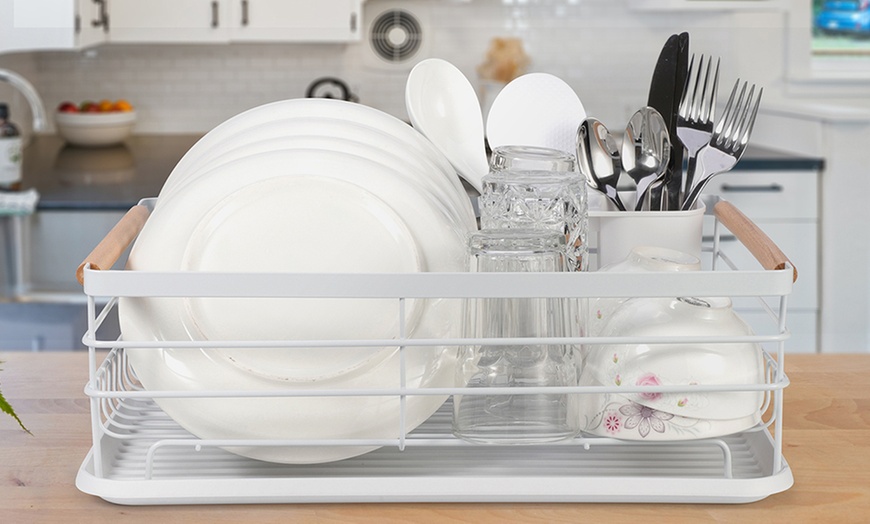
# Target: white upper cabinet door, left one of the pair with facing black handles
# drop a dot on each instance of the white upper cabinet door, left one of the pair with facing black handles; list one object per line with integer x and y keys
{"x": 168, "y": 21}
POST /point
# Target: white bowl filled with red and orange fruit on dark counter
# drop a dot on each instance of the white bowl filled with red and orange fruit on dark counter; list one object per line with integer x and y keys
{"x": 95, "y": 124}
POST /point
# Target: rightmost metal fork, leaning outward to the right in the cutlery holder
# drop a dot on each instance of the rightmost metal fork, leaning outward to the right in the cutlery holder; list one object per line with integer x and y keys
{"x": 729, "y": 139}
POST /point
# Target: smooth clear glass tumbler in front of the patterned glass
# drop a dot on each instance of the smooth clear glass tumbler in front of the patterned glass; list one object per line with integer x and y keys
{"x": 516, "y": 417}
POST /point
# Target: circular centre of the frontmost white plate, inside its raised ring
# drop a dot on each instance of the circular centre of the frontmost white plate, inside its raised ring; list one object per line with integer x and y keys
{"x": 231, "y": 237}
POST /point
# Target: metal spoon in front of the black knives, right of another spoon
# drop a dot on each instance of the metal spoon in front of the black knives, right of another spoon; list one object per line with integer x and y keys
{"x": 646, "y": 150}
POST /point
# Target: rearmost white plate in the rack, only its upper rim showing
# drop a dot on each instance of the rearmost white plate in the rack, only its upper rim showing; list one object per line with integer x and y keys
{"x": 277, "y": 112}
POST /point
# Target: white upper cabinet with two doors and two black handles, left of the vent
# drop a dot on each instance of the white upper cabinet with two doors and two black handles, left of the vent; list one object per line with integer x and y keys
{"x": 215, "y": 21}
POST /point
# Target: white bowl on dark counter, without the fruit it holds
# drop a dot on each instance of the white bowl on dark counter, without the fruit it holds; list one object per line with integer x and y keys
{"x": 95, "y": 129}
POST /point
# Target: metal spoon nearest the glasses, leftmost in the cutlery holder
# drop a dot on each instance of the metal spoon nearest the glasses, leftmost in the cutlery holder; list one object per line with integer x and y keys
{"x": 598, "y": 158}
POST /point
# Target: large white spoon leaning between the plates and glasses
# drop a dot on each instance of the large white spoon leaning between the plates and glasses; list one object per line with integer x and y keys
{"x": 443, "y": 106}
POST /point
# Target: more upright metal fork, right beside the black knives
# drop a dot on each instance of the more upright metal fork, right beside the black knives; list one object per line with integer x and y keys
{"x": 696, "y": 114}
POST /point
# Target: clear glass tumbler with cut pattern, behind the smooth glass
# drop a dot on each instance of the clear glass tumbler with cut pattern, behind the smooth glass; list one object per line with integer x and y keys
{"x": 537, "y": 188}
